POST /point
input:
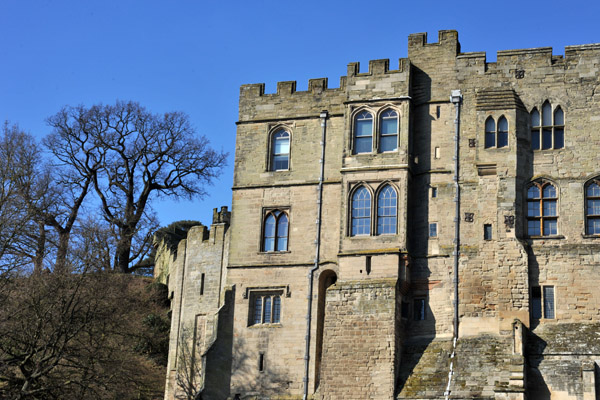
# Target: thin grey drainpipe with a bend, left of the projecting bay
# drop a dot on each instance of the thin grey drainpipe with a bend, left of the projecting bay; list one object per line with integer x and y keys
{"x": 323, "y": 117}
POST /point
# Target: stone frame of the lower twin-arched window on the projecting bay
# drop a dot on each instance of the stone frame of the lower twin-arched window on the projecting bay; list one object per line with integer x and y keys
{"x": 373, "y": 208}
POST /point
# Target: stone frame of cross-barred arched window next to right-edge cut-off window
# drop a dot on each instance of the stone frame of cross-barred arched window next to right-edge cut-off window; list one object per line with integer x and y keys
{"x": 542, "y": 217}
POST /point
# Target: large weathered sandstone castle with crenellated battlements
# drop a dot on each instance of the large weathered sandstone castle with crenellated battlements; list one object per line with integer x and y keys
{"x": 428, "y": 231}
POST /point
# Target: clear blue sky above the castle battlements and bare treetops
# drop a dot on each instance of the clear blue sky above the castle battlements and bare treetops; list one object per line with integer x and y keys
{"x": 192, "y": 56}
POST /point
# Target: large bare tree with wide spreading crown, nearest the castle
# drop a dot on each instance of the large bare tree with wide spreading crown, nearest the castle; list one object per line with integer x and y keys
{"x": 132, "y": 156}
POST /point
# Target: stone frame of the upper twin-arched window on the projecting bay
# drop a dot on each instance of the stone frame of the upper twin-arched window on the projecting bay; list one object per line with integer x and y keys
{"x": 377, "y": 115}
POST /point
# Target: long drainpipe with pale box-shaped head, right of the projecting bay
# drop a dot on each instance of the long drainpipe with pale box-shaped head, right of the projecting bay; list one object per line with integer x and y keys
{"x": 456, "y": 99}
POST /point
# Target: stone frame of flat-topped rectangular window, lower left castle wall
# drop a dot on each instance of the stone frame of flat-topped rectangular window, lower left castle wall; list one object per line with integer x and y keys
{"x": 265, "y": 317}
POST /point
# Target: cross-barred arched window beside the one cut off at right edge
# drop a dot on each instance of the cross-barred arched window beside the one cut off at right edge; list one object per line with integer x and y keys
{"x": 542, "y": 213}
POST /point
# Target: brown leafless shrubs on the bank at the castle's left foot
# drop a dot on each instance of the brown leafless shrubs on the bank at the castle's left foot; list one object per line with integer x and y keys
{"x": 82, "y": 336}
